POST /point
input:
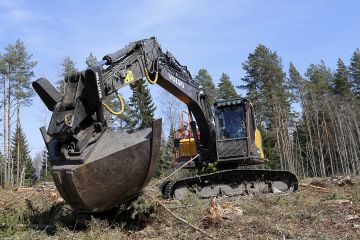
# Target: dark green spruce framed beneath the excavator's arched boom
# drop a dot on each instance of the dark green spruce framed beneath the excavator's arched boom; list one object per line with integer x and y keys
{"x": 142, "y": 106}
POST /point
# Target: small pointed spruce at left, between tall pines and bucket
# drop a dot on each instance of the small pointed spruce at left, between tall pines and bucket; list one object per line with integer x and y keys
{"x": 20, "y": 145}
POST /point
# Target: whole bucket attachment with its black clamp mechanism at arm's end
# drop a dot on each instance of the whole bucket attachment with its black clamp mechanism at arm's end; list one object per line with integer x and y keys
{"x": 93, "y": 168}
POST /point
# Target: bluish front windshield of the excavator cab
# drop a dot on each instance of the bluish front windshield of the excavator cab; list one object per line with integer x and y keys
{"x": 232, "y": 122}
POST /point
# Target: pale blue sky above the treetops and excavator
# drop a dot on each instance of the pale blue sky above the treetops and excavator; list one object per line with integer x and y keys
{"x": 216, "y": 35}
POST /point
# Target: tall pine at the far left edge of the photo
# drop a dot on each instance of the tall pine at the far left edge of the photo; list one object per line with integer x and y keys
{"x": 16, "y": 70}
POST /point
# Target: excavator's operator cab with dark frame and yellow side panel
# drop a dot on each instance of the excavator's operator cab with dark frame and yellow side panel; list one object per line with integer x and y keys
{"x": 238, "y": 140}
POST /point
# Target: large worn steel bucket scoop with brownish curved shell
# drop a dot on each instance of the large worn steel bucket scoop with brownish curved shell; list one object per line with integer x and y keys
{"x": 118, "y": 167}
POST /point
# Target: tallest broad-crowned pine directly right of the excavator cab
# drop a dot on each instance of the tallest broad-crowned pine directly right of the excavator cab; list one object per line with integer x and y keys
{"x": 265, "y": 85}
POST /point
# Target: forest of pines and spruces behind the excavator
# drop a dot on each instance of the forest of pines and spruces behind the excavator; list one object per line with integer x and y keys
{"x": 309, "y": 123}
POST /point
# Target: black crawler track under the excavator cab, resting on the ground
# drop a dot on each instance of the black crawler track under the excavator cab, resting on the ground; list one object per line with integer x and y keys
{"x": 231, "y": 183}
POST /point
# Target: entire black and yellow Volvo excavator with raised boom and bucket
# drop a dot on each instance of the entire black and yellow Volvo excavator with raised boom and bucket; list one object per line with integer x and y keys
{"x": 97, "y": 169}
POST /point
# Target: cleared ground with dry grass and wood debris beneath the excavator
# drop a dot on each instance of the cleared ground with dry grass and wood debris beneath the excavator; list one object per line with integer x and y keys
{"x": 321, "y": 209}
